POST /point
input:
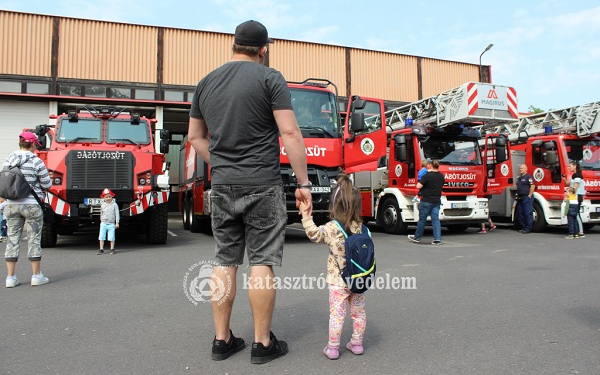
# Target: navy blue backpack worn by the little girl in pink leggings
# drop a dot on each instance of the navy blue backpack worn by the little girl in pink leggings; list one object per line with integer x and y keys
{"x": 359, "y": 273}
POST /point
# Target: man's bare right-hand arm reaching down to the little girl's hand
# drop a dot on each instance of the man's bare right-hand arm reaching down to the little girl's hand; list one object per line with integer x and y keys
{"x": 291, "y": 136}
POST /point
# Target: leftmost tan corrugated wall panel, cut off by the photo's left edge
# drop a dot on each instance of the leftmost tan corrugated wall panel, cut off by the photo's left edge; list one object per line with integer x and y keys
{"x": 25, "y": 44}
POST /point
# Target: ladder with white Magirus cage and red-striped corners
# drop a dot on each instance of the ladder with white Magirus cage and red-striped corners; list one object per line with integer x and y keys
{"x": 471, "y": 104}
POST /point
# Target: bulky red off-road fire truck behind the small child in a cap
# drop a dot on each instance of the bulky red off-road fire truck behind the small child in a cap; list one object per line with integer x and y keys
{"x": 104, "y": 147}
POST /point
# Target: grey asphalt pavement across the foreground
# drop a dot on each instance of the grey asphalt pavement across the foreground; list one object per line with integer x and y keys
{"x": 495, "y": 303}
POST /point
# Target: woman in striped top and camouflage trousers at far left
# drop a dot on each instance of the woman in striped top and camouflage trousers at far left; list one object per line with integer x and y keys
{"x": 26, "y": 212}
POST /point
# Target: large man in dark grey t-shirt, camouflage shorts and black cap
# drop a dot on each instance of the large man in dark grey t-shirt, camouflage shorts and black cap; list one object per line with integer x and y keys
{"x": 237, "y": 114}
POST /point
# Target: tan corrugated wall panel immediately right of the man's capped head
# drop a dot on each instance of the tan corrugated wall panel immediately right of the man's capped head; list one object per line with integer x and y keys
{"x": 298, "y": 61}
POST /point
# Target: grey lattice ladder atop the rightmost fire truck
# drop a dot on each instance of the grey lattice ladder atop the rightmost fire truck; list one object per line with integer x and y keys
{"x": 582, "y": 120}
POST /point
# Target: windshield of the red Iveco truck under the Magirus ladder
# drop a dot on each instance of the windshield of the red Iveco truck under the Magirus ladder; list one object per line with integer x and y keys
{"x": 451, "y": 152}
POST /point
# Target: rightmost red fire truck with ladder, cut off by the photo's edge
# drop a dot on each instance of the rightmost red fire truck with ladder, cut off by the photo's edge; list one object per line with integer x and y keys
{"x": 546, "y": 143}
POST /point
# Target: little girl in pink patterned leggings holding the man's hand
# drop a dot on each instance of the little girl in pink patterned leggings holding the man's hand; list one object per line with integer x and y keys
{"x": 346, "y": 208}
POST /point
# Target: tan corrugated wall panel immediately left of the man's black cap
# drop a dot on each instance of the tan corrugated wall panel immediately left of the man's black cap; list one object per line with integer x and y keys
{"x": 190, "y": 55}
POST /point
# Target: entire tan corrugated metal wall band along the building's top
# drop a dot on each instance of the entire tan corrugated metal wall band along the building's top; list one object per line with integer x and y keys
{"x": 105, "y": 51}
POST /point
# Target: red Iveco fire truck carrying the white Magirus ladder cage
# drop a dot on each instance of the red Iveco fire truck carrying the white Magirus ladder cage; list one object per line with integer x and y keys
{"x": 439, "y": 127}
